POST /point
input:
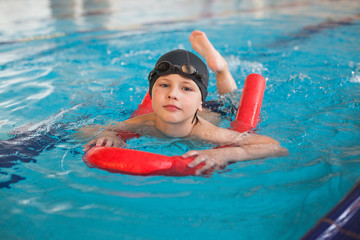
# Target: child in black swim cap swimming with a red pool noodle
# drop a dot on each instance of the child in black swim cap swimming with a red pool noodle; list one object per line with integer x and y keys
{"x": 178, "y": 88}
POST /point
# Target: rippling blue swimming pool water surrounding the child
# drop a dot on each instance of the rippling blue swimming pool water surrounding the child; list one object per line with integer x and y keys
{"x": 66, "y": 64}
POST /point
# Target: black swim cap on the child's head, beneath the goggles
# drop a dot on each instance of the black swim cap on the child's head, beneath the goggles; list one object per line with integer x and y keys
{"x": 180, "y": 57}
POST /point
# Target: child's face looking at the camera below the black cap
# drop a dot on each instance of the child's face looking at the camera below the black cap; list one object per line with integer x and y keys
{"x": 175, "y": 98}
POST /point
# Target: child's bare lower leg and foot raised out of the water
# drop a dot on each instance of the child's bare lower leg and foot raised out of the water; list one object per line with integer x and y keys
{"x": 224, "y": 81}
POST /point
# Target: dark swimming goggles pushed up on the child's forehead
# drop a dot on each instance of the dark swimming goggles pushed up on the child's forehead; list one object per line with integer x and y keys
{"x": 165, "y": 68}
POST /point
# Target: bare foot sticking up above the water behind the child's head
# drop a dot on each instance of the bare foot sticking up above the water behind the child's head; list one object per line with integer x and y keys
{"x": 203, "y": 46}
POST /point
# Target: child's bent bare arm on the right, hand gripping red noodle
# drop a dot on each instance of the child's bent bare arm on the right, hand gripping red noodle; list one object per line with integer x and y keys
{"x": 234, "y": 147}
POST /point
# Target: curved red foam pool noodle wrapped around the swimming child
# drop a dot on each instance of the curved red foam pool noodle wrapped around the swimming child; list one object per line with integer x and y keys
{"x": 134, "y": 162}
